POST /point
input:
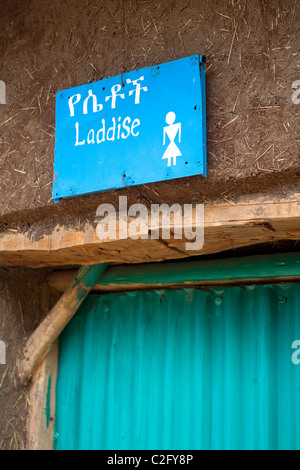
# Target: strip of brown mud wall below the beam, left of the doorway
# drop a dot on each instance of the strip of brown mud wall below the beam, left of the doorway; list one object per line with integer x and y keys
{"x": 24, "y": 301}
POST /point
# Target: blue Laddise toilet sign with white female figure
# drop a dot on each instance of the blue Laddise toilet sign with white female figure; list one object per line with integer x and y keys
{"x": 140, "y": 127}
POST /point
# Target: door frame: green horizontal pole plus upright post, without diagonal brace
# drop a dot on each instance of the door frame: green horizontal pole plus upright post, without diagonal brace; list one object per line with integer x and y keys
{"x": 247, "y": 270}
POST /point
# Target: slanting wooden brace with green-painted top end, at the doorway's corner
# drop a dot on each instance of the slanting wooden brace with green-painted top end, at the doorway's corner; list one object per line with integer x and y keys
{"x": 40, "y": 342}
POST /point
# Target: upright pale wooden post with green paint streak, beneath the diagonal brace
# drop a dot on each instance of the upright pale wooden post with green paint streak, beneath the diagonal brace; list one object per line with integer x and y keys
{"x": 41, "y": 416}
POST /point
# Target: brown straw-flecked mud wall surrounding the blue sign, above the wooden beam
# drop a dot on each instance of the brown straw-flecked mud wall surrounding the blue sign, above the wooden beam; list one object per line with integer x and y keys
{"x": 252, "y": 49}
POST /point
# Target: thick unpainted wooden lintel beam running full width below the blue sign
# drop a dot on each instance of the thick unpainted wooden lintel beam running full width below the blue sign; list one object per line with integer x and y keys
{"x": 248, "y": 221}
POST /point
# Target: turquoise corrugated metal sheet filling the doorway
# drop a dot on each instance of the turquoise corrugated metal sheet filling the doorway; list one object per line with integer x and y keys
{"x": 184, "y": 369}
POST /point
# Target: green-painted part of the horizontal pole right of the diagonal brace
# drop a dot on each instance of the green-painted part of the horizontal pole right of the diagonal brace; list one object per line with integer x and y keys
{"x": 258, "y": 267}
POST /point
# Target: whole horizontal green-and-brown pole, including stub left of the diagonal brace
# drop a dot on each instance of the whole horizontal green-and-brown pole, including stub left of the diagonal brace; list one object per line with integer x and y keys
{"x": 261, "y": 268}
